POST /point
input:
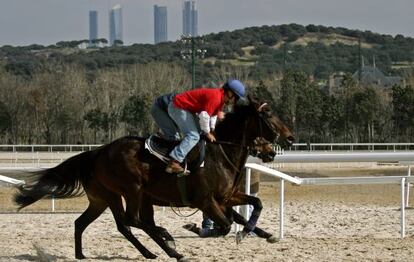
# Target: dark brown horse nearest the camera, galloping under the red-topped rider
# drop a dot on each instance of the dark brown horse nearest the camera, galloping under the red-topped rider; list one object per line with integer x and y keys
{"x": 125, "y": 169}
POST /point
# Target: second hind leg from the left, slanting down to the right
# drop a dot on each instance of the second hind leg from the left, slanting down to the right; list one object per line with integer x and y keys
{"x": 118, "y": 213}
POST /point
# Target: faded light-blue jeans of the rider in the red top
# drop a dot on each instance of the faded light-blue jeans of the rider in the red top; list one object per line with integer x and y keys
{"x": 188, "y": 127}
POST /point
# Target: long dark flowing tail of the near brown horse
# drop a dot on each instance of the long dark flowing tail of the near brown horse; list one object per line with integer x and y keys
{"x": 63, "y": 181}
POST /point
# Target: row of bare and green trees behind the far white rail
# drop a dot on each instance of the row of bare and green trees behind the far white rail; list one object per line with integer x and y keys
{"x": 62, "y": 105}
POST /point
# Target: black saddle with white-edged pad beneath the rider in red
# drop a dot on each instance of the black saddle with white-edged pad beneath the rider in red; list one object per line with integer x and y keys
{"x": 161, "y": 148}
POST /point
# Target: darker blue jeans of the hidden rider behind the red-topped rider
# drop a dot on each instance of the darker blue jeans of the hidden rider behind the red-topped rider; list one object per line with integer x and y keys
{"x": 164, "y": 122}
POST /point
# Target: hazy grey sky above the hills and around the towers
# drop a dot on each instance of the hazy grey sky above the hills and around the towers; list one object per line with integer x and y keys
{"x": 24, "y": 22}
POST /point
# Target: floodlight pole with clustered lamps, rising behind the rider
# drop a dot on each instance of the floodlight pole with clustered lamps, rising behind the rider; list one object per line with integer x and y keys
{"x": 190, "y": 52}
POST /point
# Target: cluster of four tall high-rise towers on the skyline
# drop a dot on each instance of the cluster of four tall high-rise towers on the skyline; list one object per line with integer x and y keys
{"x": 190, "y": 23}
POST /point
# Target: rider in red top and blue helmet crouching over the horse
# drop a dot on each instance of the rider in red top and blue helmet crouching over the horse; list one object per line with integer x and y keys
{"x": 175, "y": 114}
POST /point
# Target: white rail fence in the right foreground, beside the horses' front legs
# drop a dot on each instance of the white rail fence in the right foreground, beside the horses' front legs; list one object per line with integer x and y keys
{"x": 406, "y": 158}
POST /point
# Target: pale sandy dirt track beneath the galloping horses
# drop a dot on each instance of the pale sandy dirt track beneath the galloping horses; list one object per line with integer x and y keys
{"x": 322, "y": 223}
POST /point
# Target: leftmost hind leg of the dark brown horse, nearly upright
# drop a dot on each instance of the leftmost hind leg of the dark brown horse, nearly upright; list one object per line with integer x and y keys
{"x": 93, "y": 211}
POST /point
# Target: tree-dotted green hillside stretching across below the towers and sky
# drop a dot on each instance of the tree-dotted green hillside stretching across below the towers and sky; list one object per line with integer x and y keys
{"x": 316, "y": 50}
